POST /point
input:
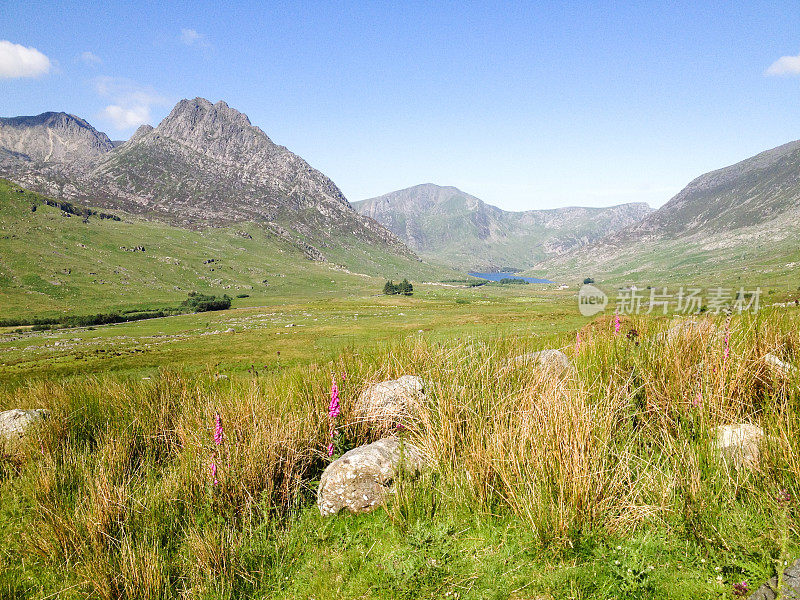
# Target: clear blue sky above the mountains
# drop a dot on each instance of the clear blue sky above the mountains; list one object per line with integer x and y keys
{"x": 525, "y": 105}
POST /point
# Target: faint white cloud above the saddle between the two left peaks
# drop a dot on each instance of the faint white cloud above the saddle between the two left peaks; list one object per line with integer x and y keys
{"x": 130, "y": 102}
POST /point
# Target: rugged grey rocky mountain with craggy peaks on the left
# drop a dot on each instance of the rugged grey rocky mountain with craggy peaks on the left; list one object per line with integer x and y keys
{"x": 204, "y": 164}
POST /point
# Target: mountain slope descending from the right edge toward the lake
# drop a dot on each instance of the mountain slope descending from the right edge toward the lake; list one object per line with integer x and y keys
{"x": 736, "y": 223}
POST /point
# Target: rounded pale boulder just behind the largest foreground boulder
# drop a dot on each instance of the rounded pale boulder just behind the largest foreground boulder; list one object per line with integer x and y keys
{"x": 388, "y": 403}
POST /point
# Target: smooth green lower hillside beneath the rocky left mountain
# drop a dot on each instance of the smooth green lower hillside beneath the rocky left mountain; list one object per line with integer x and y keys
{"x": 52, "y": 263}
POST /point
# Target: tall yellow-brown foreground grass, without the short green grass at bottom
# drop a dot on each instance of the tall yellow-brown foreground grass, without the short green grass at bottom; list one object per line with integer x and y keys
{"x": 121, "y": 496}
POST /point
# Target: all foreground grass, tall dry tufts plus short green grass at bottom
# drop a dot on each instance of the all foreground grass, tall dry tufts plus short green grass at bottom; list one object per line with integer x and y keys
{"x": 113, "y": 493}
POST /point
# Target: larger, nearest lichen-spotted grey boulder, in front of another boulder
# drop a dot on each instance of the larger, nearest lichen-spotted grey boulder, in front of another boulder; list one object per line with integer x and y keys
{"x": 360, "y": 479}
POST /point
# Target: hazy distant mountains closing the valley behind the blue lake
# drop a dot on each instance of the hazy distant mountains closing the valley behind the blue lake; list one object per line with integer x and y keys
{"x": 455, "y": 228}
